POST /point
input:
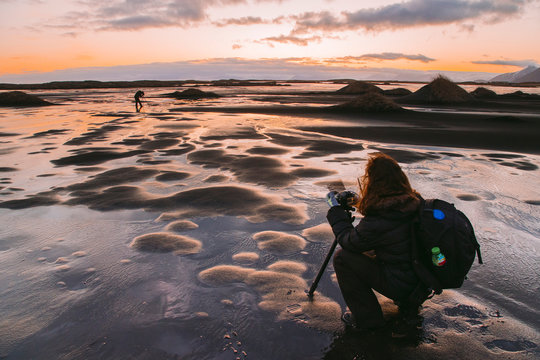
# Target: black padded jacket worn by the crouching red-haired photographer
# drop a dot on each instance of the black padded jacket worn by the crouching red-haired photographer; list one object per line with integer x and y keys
{"x": 387, "y": 231}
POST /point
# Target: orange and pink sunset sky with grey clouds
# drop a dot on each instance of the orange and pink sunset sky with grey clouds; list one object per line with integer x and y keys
{"x": 52, "y": 40}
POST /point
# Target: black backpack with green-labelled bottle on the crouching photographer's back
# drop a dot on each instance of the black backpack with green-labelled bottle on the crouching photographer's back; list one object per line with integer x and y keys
{"x": 440, "y": 225}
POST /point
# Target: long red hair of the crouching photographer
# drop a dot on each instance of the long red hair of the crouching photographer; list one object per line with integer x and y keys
{"x": 383, "y": 179}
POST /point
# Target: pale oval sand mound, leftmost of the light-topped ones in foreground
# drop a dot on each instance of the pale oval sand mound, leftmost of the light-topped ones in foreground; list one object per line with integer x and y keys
{"x": 166, "y": 242}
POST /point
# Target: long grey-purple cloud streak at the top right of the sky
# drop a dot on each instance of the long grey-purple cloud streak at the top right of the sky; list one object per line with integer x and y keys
{"x": 409, "y": 14}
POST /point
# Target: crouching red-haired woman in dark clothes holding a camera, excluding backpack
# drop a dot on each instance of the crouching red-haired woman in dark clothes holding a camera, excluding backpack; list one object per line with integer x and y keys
{"x": 389, "y": 204}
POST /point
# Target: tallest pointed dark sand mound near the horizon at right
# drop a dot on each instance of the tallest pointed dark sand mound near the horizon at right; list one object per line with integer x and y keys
{"x": 439, "y": 91}
